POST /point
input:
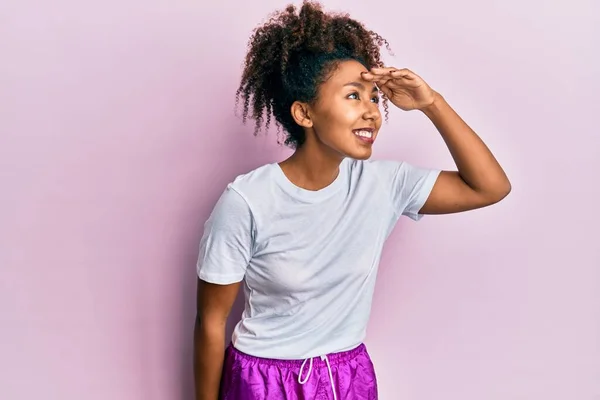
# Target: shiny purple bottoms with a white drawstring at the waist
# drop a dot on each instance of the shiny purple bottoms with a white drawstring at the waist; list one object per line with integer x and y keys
{"x": 350, "y": 374}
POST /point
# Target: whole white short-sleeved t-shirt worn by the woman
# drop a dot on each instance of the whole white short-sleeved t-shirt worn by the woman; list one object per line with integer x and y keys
{"x": 308, "y": 259}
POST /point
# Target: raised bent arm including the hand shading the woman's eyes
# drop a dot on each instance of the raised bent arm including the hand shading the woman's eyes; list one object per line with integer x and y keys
{"x": 480, "y": 180}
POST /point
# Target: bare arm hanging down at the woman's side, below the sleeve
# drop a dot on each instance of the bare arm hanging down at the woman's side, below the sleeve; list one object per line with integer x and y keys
{"x": 214, "y": 303}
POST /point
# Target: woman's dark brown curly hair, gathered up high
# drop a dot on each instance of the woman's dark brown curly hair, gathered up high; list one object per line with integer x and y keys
{"x": 291, "y": 55}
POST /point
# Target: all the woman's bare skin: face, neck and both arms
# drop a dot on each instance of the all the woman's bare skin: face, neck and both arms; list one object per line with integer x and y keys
{"x": 348, "y": 101}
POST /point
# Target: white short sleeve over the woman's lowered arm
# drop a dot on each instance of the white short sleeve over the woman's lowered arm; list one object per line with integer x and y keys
{"x": 227, "y": 242}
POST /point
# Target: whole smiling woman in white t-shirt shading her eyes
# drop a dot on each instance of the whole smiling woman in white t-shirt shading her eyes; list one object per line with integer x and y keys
{"x": 303, "y": 237}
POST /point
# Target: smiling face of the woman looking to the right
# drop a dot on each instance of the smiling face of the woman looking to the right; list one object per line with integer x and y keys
{"x": 345, "y": 119}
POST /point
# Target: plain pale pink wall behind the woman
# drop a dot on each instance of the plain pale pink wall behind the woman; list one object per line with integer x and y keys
{"x": 117, "y": 135}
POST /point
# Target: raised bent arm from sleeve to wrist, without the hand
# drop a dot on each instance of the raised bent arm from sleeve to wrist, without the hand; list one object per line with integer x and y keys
{"x": 480, "y": 181}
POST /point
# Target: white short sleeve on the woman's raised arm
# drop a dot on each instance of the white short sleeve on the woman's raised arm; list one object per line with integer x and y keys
{"x": 409, "y": 186}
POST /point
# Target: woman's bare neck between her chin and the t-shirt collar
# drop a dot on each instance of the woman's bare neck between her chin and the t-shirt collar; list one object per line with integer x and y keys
{"x": 313, "y": 166}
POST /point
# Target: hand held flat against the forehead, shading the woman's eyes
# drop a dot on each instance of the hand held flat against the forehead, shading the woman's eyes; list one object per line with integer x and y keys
{"x": 405, "y": 89}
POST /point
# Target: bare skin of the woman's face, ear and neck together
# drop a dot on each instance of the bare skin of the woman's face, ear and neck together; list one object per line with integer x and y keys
{"x": 346, "y": 101}
